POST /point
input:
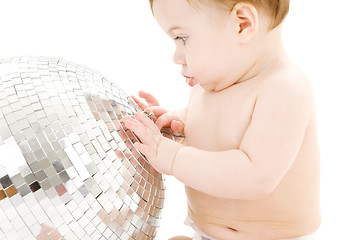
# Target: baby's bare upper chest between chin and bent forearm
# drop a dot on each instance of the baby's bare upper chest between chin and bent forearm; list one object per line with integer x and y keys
{"x": 218, "y": 121}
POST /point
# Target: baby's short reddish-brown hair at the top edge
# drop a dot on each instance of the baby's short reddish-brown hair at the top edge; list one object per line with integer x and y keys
{"x": 275, "y": 9}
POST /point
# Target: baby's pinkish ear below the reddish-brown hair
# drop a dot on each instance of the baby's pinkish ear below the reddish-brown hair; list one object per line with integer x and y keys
{"x": 245, "y": 18}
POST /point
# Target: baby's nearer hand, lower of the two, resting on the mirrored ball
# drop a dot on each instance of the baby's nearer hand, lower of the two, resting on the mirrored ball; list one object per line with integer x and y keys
{"x": 158, "y": 150}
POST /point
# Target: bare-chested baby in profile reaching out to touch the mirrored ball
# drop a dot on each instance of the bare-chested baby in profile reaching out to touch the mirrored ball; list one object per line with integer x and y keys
{"x": 250, "y": 158}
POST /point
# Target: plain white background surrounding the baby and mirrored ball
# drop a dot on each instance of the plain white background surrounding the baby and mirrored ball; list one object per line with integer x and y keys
{"x": 121, "y": 40}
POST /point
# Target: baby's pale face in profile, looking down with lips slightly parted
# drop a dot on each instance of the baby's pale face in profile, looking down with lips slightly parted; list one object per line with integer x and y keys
{"x": 205, "y": 45}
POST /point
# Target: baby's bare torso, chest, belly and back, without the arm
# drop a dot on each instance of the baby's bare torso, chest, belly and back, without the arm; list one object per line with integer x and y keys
{"x": 292, "y": 209}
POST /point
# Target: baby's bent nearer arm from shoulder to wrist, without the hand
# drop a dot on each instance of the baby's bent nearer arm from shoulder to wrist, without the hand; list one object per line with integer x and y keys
{"x": 270, "y": 145}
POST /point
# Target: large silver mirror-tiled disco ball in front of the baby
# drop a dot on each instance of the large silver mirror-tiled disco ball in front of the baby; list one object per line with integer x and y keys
{"x": 68, "y": 168}
